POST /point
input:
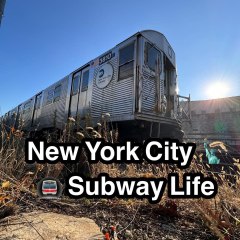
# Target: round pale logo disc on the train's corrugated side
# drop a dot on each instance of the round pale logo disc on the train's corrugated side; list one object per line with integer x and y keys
{"x": 104, "y": 75}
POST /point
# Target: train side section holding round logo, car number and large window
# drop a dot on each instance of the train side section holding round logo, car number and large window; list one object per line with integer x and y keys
{"x": 114, "y": 82}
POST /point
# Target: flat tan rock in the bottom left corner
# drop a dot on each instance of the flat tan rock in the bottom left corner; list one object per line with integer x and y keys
{"x": 48, "y": 225}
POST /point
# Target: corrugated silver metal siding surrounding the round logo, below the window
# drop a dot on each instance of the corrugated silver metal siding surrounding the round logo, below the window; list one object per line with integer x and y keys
{"x": 116, "y": 98}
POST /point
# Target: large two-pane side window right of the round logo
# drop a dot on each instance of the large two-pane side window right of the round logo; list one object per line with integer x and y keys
{"x": 126, "y": 61}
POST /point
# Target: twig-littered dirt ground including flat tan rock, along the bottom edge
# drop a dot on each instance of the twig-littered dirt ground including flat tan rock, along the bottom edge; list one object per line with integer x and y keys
{"x": 81, "y": 219}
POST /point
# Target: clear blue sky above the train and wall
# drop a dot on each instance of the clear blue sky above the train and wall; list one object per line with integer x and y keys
{"x": 42, "y": 41}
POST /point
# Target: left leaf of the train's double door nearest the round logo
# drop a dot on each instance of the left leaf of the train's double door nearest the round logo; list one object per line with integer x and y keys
{"x": 74, "y": 96}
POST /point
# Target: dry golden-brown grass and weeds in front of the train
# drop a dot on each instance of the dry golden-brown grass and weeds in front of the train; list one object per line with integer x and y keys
{"x": 220, "y": 214}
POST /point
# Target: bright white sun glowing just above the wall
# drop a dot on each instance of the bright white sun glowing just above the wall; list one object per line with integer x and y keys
{"x": 217, "y": 90}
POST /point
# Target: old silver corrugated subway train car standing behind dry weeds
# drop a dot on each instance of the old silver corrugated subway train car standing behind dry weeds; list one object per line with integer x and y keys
{"x": 135, "y": 83}
